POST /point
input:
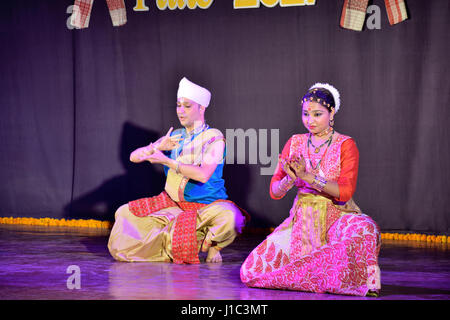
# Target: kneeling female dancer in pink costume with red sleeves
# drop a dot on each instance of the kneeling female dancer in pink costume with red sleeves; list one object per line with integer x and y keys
{"x": 326, "y": 244}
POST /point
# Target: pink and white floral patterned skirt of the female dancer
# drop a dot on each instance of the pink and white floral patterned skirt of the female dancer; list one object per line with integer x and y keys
{"x": 306, "y": 253}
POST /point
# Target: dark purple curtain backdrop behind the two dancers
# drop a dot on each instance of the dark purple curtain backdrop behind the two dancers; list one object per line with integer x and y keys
{"x": 74, "y": 103}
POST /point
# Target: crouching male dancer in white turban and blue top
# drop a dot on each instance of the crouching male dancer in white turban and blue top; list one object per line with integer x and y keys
{"x": 192, "y": 212}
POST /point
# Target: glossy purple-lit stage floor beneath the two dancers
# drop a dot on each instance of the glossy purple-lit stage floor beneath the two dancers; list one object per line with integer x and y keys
{"x": 34, "y": 262}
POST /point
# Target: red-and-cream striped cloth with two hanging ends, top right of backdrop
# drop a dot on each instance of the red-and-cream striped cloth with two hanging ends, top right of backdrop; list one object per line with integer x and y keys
{"x": 354, "y": 13}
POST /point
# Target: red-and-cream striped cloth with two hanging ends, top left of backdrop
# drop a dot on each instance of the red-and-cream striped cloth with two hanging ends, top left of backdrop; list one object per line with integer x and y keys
{"x": 82, "y": 13}
